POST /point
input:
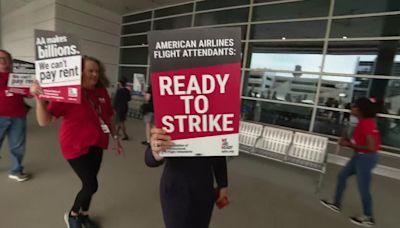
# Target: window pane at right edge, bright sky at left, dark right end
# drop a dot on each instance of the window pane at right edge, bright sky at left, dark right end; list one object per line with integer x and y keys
{"x": 363, "y": 57}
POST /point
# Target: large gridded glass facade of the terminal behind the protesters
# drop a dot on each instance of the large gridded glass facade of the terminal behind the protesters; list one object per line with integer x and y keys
{"x": 304, "y": 62}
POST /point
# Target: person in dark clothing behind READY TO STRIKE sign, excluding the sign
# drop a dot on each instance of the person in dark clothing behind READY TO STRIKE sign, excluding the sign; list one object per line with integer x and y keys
{"x": 187, "y": 185}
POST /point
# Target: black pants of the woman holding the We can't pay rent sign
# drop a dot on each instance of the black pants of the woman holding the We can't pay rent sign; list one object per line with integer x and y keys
{"x": 86, "y": 167}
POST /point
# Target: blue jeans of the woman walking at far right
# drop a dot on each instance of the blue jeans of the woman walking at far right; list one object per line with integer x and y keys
{"x": 360, "y": 165}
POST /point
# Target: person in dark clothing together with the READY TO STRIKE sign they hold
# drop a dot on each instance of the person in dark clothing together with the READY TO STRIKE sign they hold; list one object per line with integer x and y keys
{"x": 195, "y": 76}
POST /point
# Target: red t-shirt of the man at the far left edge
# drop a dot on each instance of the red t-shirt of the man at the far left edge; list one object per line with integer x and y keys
{"x": 11, "y": 105}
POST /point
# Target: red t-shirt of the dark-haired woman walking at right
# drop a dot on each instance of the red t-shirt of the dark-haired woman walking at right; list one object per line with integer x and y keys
{"x": 366, "y": 127}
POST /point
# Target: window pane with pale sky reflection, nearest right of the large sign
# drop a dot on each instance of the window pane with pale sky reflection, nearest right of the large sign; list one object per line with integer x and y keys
{"x": 293, "y": 56}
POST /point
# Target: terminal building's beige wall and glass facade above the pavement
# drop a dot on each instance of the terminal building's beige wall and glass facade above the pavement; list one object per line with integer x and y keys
{"x": 303, "y": 61}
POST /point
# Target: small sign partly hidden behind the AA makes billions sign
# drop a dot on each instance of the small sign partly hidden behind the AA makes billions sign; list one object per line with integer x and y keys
{"x": 22, "y": 77}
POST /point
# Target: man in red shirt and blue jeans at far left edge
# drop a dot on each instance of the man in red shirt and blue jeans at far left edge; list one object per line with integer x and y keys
{"x": 12, "y": 119}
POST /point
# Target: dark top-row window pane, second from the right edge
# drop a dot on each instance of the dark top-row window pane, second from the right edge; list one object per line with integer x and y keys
{"x": 291, "y": 10}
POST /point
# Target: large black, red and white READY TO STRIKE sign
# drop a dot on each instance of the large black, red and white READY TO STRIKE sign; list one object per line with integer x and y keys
{"x": 195, "y": 75}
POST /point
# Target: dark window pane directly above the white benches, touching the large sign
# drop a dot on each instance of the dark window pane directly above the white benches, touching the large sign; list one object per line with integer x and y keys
{"x": 278, "y": 114}
